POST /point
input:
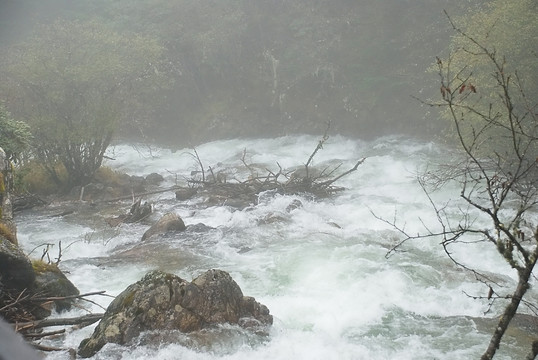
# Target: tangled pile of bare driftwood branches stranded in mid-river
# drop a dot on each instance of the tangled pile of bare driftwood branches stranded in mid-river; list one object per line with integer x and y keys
{"x": 218, "y": 189}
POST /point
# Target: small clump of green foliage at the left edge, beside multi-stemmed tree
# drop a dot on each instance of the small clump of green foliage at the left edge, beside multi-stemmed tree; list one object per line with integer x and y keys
{"x": 15, "y": 136}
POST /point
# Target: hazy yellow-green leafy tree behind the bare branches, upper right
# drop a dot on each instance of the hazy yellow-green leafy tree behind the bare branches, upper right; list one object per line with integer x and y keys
{"x": 492, "y": 73}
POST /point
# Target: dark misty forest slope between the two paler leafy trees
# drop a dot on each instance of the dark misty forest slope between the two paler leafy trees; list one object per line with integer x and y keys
{"x": 273, "y": 67}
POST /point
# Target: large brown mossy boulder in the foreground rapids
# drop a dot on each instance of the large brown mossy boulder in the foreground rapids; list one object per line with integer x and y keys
{"x": 162, "y": 301}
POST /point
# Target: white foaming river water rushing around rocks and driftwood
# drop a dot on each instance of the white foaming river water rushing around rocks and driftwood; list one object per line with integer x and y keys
{"x": 321, "y": 269}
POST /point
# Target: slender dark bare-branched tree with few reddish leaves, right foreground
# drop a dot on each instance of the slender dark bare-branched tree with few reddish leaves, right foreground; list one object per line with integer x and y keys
{"x": 497, "y": 174}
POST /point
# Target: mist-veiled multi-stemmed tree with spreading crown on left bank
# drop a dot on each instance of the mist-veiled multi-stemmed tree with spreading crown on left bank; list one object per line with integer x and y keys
{"x": 74, "y": 82}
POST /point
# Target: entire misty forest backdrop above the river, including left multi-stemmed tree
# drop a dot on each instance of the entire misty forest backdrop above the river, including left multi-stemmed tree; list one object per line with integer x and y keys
{"x": 79, "y": 75}
